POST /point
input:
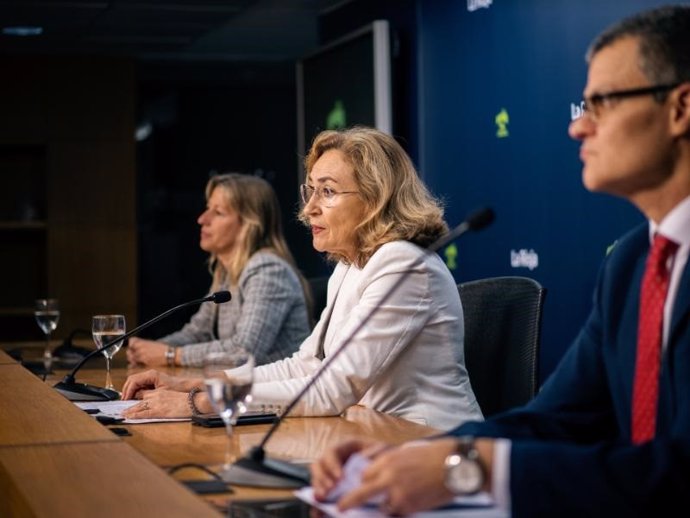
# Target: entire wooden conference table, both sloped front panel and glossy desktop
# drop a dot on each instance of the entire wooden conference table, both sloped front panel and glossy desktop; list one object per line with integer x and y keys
{"x": 57, "y": 461}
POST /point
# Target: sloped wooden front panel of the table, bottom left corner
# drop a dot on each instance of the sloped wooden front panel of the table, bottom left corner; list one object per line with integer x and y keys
{"x": 57, "y": 461}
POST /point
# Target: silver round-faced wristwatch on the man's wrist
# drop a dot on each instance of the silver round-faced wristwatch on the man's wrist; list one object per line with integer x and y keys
{"x": 465, "y": 473}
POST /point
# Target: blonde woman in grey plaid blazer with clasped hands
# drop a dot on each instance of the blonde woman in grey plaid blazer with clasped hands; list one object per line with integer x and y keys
{"x": 241, "y": 231}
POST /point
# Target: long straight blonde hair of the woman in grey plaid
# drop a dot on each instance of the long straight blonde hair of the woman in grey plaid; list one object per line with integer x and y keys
{"x": 257, "y": 205}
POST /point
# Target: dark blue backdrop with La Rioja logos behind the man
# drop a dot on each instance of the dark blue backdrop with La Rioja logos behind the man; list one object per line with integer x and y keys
{"x": 498, "y": 87}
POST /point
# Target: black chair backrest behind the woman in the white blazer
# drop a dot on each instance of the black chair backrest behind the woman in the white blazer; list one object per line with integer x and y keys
{"x": 502, "y": 334}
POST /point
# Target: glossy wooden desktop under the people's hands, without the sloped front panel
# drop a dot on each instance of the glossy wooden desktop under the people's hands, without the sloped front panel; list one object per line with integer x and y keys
{"x": 299, "y": 439}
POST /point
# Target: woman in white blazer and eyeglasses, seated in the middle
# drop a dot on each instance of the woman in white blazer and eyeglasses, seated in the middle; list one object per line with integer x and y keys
{"x": 371, "y": 214}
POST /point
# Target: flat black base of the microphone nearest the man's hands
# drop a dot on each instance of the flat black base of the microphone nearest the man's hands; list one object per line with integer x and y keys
{"x": 268, "y": 473}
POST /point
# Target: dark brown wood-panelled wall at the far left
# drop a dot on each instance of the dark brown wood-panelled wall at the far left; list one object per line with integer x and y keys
{"x": 67, "y": 174}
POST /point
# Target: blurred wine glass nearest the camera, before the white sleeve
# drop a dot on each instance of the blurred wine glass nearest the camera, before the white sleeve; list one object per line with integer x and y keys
{"x": 228, "y": 377}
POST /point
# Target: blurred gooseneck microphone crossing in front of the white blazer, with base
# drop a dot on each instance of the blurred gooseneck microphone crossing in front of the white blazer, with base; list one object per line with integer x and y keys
{"x": 258, "y": 470}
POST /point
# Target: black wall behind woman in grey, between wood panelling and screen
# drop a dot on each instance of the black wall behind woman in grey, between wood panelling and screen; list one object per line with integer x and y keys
{"x": 211, "y": 124}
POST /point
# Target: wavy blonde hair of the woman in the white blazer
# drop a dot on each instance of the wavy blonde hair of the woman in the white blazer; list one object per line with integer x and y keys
{"x": 398, "y": 204}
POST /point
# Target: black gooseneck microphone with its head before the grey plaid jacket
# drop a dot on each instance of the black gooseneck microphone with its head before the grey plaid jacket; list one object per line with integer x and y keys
{"x": 84, "y": 392}
